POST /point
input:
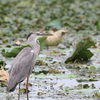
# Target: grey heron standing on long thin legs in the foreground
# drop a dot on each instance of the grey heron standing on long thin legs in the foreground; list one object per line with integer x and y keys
{"x": 24, "y": 62}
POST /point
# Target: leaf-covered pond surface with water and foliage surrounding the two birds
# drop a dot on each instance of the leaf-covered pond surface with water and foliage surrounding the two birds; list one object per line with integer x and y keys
{"x": 52, "y": 77}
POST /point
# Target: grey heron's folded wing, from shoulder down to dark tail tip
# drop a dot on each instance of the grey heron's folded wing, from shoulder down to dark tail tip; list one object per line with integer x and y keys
{"x": 21, "y": 67}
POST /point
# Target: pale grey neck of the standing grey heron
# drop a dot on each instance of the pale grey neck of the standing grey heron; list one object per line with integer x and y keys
{"x": 35, "y": 46}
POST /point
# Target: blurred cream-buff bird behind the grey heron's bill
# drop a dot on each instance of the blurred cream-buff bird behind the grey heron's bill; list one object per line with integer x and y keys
{"x": 56, "y": 38}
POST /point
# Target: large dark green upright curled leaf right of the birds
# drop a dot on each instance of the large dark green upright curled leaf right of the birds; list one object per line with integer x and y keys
{"x": 81, "y": 51}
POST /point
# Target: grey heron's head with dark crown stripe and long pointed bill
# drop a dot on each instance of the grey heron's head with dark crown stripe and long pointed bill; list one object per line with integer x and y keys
{"x": 36, "y": 35}
